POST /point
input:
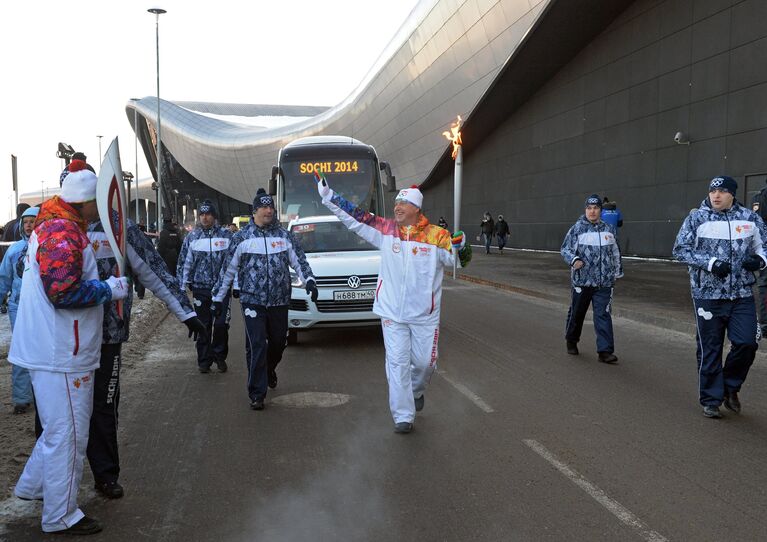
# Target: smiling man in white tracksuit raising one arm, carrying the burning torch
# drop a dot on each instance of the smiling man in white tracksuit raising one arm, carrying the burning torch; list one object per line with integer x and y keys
{"x": 409, "y": 290}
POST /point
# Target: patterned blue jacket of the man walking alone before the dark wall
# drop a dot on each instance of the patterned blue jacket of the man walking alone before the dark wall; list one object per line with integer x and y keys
{"x": 595, "y": 245}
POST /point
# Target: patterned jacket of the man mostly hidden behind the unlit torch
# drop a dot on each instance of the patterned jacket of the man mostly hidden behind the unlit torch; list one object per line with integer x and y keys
{"x": 145, "y": 264}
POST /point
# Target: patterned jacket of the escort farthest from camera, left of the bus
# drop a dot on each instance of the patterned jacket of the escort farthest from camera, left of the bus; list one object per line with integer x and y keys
{"x": 202, "y": 255}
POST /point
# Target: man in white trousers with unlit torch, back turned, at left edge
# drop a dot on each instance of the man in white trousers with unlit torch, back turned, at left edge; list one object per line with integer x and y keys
{"x": 58, "y": 338}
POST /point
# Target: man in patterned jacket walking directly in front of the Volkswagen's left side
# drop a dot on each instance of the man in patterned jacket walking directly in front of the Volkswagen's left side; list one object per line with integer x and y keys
{"x": 260, "y": 255}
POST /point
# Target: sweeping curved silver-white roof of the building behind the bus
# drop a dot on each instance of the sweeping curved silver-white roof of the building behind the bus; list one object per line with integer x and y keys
{"x": 439, "y": 65}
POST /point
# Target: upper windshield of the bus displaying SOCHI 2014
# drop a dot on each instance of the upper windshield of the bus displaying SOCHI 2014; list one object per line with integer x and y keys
{"x": 354, "y": 178}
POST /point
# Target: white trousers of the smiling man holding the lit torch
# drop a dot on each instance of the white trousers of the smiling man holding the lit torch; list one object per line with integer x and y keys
{"x": 411, "y": 358}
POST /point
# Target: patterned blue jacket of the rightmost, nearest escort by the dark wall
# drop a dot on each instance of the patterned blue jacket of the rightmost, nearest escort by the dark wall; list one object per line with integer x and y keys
{"x": 731, "y": 236}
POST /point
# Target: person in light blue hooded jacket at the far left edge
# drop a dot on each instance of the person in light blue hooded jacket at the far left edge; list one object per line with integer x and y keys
{"x": 11, "y": 270}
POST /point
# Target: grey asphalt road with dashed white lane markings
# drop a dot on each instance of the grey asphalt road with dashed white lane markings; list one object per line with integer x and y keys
{"x": 518, "y": 441}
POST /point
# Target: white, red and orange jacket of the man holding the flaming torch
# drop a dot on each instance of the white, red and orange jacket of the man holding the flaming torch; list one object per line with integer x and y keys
{"x": 409, "y": 288}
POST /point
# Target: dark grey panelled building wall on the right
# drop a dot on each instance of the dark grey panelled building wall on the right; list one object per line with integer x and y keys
{"x": 606, "y": 124}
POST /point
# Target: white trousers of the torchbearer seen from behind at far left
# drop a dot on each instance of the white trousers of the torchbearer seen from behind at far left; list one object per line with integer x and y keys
{"x": 55, "y": 468}
